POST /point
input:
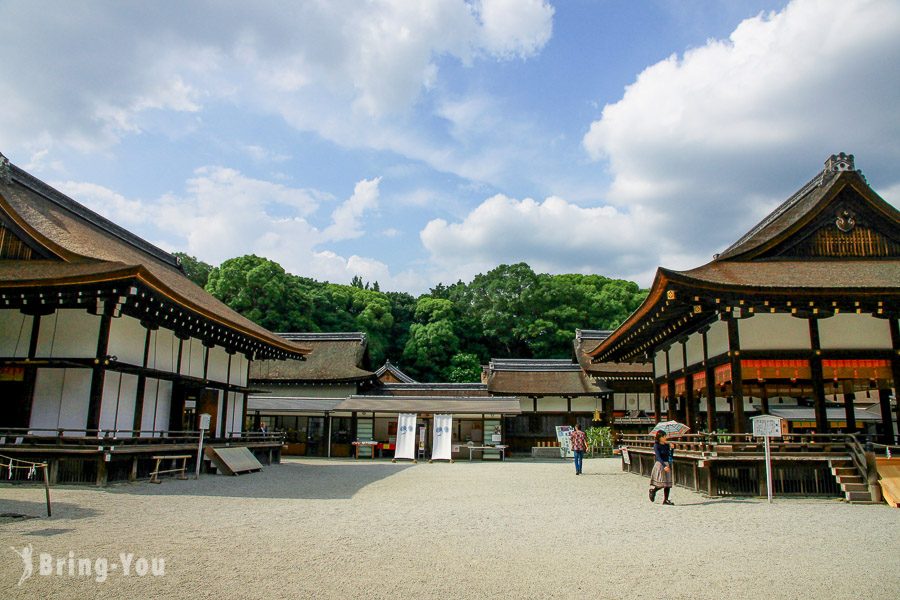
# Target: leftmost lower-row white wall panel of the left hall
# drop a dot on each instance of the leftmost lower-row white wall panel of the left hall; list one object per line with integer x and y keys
{"x": 61, "y": 398}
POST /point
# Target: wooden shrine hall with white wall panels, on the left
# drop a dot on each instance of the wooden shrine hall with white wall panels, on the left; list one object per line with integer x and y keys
{"x": 103, "y": 335}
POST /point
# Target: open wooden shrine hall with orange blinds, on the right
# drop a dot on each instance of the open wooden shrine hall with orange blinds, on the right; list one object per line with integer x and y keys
{"x": 802, "y": 311}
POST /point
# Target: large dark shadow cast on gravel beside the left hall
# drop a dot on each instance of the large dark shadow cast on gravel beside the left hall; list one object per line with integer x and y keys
{"x": 290, "y": 480}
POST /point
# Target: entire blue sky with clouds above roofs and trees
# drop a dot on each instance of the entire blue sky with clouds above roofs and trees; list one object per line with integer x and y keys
{"x": 418, "y": 142}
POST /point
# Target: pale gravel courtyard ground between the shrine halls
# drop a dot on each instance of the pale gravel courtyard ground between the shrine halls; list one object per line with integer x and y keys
{"x": 346, "y": 529}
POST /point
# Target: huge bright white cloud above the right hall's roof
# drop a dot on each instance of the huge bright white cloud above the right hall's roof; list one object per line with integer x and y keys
{"x": 712, "y": 139}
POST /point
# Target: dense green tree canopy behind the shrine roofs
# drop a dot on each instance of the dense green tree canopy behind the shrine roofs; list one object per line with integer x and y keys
{"x": 446, "y": 334}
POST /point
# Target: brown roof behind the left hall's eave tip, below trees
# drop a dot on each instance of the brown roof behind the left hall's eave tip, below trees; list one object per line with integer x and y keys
{"x": 334, "y": 358}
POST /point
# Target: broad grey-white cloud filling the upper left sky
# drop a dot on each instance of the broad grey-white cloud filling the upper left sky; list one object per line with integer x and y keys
{"x": 88, "y": 74}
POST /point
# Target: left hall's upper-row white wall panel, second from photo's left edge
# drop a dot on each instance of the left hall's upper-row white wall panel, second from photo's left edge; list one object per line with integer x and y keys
{"x": 69, "y": 333}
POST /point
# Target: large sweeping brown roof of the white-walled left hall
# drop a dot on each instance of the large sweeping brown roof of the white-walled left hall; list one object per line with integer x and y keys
{"x": 75, "y": 246}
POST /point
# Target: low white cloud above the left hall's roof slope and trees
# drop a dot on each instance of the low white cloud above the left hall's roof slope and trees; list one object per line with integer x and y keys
{"x": 223, "y": 214}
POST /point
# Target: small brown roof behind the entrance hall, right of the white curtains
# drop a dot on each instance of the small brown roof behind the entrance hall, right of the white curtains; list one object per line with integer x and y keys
{"x": 537, "y": 377}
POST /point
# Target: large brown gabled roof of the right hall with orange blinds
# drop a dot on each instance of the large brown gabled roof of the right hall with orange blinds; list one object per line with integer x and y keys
{"x": 833, "y": 238}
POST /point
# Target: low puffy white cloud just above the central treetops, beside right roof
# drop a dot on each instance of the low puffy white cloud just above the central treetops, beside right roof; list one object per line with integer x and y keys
{"x": 553, "y": 235}
